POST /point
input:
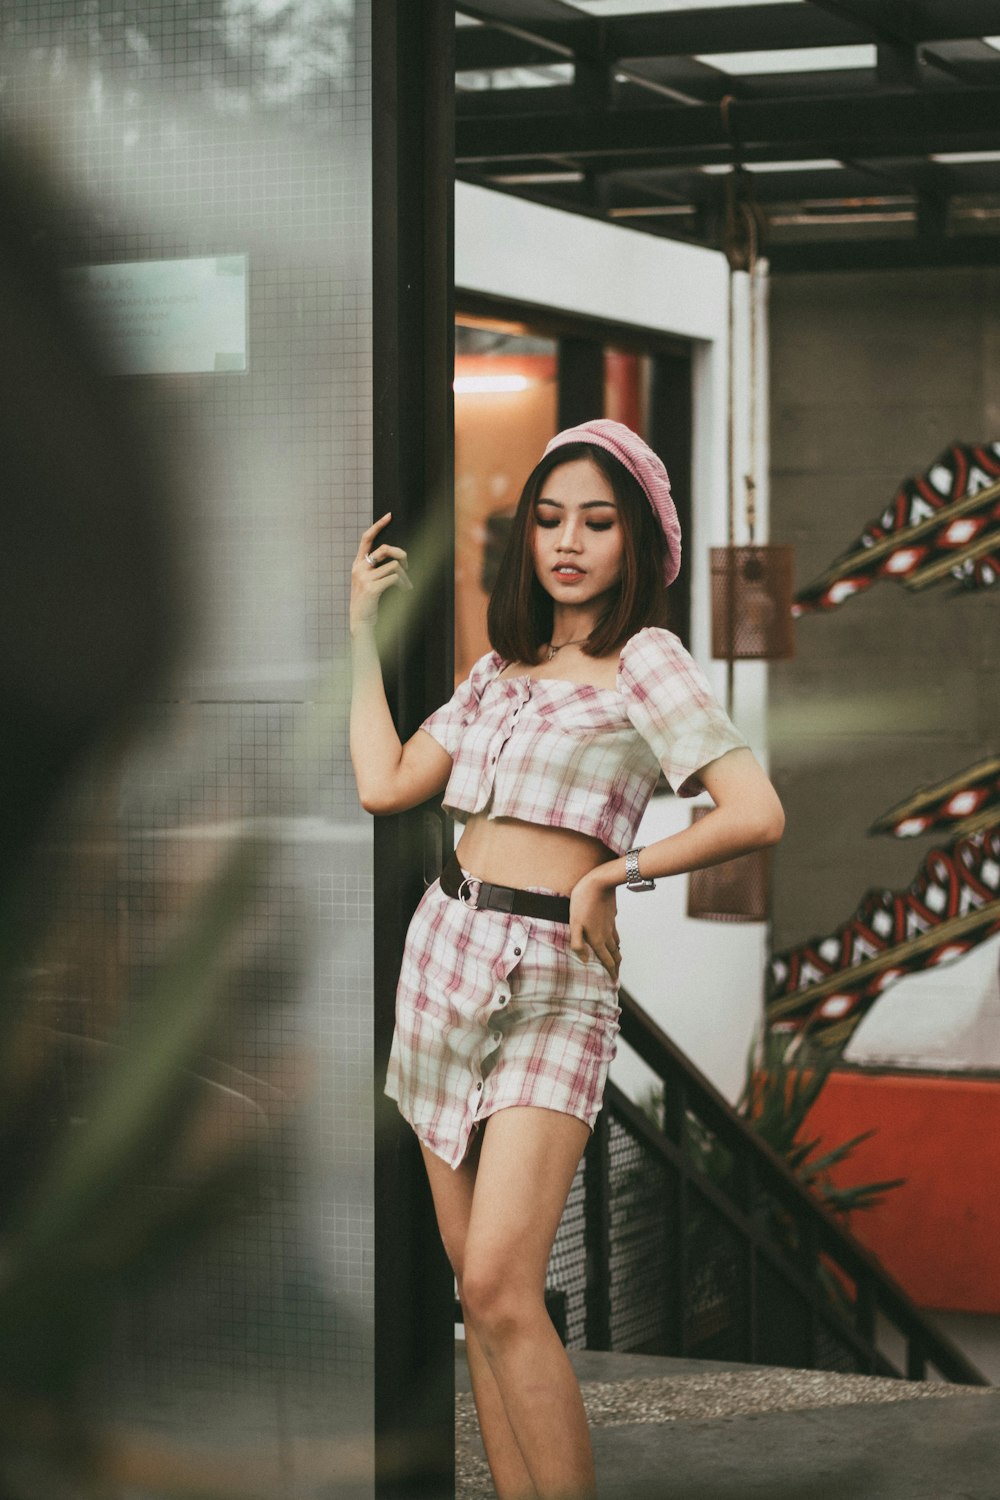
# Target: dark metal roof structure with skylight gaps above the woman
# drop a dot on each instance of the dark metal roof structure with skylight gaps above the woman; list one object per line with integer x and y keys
{"x": 864, "y": 133}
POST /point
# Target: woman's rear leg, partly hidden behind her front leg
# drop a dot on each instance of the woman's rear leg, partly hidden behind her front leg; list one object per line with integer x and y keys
{"x": 452, "y": 1190}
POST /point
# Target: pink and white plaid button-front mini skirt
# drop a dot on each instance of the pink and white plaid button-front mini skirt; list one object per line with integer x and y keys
{"x": 496, "y": 1010}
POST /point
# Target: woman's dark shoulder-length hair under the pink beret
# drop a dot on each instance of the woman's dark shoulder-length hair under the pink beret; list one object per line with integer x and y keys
{"x": 521, "y": 613}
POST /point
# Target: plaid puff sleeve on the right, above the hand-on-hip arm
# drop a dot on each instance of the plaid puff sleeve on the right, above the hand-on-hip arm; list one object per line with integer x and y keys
{"x": 669, "y": 701}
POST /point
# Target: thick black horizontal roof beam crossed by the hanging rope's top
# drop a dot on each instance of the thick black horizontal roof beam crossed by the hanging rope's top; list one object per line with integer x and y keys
{"x": 896, "y": 124}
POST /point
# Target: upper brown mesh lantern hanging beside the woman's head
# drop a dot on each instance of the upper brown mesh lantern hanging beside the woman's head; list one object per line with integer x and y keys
{"x": 752, "y": 604}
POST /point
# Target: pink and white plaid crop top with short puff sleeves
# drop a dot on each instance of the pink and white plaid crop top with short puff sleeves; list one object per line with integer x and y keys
{"x": 570, "y": 755}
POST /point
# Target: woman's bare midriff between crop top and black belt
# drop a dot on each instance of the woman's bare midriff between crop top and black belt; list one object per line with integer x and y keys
{"x": 507, "y": 851}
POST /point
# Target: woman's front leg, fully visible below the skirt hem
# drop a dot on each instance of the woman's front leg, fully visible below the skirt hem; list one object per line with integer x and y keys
{"x": 527, "y": 1166}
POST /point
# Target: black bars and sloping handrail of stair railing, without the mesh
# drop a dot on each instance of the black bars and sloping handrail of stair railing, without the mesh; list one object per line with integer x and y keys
{"x": 759, "y": 1183}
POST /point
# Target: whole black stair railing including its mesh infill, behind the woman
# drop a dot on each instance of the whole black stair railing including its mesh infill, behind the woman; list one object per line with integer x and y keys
{"x": 698, "y": 1241}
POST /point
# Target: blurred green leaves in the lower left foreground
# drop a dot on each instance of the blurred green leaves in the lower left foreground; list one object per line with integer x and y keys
{"x": 119, "y": 1183}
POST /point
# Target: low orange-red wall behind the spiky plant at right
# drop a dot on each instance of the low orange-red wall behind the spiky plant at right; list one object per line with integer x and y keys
{"x": 941, "y": 1234}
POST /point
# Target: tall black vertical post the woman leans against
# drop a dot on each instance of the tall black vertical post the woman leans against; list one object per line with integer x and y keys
{"x": 413, "y": 149}
